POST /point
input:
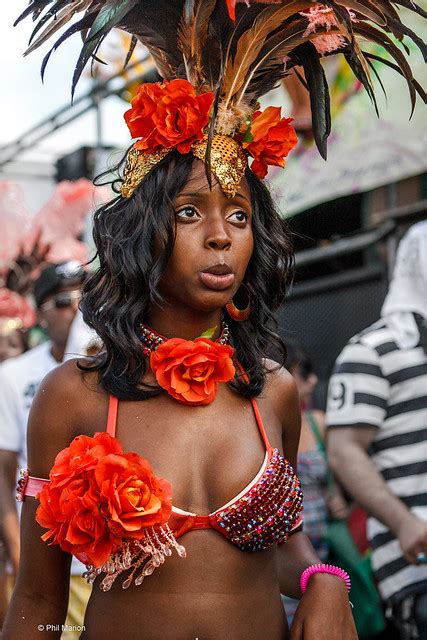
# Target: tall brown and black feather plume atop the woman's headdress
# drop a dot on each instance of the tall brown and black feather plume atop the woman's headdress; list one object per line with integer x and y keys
{"x": 238, "y": 51}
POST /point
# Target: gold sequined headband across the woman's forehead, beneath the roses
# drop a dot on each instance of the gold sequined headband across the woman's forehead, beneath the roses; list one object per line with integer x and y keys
{"x": 228, "y": 163}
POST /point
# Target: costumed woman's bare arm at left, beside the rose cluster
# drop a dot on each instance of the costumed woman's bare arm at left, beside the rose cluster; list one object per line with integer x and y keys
{"x": 40, "y": 597}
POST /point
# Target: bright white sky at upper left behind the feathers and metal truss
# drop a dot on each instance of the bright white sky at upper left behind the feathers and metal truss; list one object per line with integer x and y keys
{"x": 25, "y": 100}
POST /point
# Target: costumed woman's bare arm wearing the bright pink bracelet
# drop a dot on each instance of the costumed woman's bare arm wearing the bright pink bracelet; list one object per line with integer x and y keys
{"x": 324, "y": 612}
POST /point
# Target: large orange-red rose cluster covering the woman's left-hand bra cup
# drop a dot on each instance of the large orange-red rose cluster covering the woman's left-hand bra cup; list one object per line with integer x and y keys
{"x": 98, "y": 496}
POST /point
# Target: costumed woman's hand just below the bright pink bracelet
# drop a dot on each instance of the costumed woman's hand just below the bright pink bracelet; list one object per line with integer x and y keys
{"x": 324, "y": 612}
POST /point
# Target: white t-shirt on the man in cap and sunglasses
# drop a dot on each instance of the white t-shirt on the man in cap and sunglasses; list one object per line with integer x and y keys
{"x": 19, "y": 380}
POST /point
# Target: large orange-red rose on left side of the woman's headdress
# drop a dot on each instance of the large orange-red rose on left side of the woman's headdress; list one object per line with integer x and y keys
{"x": 166, "y": 115}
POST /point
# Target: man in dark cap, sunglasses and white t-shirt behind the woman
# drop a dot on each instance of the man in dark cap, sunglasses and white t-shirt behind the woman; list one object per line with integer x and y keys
{"x": 56, "y": 295}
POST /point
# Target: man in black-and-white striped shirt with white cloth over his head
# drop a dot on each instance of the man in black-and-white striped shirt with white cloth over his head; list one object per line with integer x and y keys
{"x": 377, "y": 435}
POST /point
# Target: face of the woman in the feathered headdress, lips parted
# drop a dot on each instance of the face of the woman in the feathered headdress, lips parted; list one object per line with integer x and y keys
{"x": 213, "y": 245}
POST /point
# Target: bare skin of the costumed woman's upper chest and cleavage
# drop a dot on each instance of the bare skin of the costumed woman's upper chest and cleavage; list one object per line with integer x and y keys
{"x": 208, "y": 454}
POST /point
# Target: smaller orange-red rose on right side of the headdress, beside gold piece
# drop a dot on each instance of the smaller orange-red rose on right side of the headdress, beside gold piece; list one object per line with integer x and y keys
{"x": 272, "y": 139}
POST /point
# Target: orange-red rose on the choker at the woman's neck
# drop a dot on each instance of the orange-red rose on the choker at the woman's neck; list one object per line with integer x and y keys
{"x": 190, "y": 370}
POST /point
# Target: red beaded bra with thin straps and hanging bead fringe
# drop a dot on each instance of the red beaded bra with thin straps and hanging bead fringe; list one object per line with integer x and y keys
{"x": 264, "y": 513}
